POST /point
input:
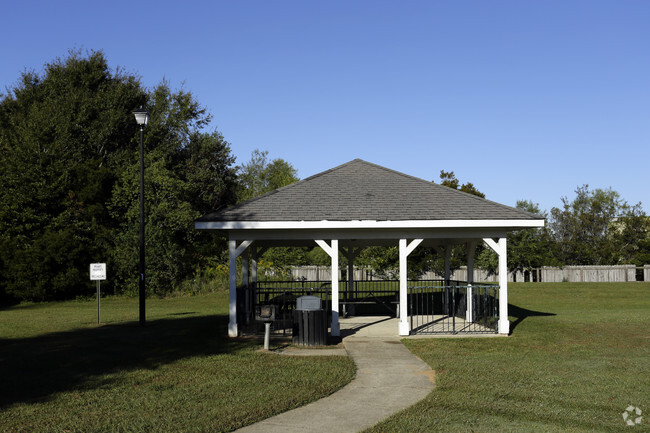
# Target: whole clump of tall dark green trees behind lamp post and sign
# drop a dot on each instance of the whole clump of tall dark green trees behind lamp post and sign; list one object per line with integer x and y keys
{"x": 68, "y": 171}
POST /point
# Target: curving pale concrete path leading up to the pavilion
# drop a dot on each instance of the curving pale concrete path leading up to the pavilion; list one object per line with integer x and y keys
{"x": 389, "y": 378}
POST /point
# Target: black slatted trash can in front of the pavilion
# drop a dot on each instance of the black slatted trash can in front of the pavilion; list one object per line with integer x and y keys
{"x": 309, "y": 322}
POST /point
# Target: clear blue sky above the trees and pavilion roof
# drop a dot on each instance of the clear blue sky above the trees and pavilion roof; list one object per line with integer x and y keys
{"x": 526, "y": 99}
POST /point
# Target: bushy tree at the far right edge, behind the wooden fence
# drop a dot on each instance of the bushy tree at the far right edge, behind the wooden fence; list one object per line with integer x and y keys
{"x": 597, "y": 228}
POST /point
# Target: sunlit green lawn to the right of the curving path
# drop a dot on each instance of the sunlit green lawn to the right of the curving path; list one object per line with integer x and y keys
{"x": 578, "y": 356}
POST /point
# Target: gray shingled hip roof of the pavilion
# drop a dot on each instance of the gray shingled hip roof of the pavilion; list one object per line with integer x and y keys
{"x": 359, "y": 190}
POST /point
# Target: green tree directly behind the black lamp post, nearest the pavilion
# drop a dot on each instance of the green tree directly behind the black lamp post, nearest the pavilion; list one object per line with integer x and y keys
{"x": 188, "y": 173}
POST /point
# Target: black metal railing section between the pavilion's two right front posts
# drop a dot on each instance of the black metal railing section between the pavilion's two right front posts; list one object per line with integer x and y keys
{"x": 453, "y": 309}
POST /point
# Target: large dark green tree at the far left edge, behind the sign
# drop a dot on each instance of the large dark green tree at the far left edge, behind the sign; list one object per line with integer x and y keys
{"x": 62, "y": 139}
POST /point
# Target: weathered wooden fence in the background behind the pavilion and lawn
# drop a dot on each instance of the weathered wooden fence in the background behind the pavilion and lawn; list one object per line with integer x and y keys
{"x": 614, "y": 273}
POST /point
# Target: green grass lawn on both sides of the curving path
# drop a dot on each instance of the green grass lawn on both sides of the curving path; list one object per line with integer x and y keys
{"x": 579, "y": 354}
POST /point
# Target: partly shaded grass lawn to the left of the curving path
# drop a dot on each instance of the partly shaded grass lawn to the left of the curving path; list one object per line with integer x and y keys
{"x": 61, "y": 372}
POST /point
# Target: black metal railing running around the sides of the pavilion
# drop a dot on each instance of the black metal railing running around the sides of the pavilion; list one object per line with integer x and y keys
{"x": 434, "y": 306}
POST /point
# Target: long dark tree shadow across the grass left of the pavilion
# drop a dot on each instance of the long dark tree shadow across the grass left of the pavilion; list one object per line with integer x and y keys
{"x": 33, "y": 369}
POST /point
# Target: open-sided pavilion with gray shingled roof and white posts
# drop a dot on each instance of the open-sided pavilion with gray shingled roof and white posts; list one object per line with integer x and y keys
{"x": 360, "y": 204}
